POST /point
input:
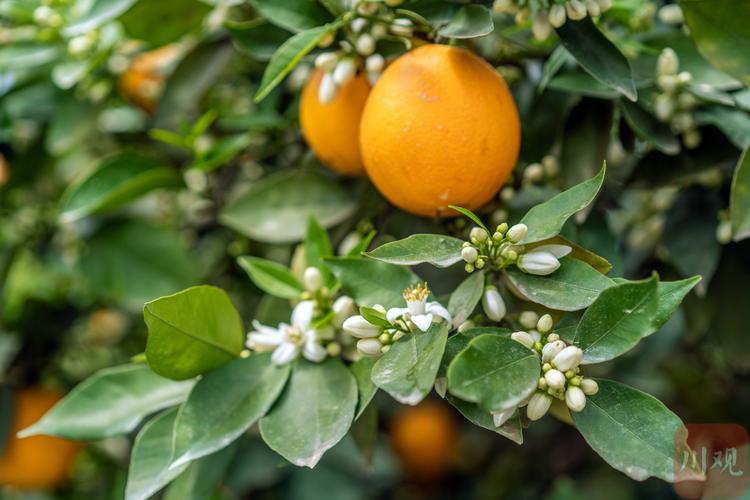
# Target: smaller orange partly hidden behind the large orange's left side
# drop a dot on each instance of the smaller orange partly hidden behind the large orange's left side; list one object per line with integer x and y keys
{"x": 332, "y": 130}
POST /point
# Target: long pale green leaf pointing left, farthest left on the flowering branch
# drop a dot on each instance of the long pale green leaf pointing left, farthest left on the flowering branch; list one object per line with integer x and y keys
{"x": 111, "y": 402}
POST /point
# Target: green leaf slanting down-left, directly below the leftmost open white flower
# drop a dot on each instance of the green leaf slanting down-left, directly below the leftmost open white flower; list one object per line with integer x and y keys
{"x": 224, "y": 404}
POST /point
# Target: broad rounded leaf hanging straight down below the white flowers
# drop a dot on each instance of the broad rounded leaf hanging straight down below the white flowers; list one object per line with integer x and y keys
{"x": 314, "y": 412}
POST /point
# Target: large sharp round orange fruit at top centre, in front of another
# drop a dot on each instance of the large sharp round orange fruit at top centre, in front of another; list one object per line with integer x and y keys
{"x": 440, "y": 128}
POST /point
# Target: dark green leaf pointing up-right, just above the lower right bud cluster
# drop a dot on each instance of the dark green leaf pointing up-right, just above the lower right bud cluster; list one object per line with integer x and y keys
{"x": 617, "y": 320}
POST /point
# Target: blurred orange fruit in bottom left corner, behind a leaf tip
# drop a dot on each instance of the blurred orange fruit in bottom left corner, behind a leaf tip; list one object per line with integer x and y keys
{"x": 38, "y": 462}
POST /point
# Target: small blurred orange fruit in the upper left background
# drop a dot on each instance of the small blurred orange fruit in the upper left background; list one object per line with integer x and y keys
{"x": 143, "y": 81}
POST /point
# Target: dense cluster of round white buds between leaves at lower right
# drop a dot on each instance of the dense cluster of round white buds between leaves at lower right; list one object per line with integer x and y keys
{"x": 561, "y": 374}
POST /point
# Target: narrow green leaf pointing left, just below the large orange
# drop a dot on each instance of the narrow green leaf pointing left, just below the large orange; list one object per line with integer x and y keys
{"x": 436, "y": 249}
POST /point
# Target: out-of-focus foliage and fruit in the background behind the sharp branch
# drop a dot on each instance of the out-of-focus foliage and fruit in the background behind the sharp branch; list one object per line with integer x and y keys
{"x": 134, "y": 163}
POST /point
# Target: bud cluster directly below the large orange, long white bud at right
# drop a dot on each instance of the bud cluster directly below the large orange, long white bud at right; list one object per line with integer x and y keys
{"x": 501, "y": 249}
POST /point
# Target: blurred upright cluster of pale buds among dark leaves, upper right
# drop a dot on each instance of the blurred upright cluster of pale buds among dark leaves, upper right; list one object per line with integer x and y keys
{"x": 674, "y": 103}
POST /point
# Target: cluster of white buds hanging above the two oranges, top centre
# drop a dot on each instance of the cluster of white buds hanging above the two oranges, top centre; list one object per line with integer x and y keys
{"x": 371, "y": 21}
